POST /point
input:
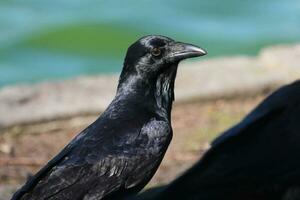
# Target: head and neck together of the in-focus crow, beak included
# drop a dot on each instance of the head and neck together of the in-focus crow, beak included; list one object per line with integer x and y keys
{"x": 150, "y": 67}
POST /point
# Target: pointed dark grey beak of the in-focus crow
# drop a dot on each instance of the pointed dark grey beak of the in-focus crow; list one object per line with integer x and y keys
{"x": 180, "y": 51}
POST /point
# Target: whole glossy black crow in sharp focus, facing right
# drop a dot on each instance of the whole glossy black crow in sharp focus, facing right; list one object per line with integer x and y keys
{"x": 119, "y": 153}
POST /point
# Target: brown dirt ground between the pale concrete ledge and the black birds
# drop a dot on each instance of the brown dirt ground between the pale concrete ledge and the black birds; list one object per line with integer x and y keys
{"x": 23, "y": 149}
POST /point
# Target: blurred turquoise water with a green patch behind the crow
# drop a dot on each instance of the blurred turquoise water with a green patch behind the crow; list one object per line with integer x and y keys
{"x": 52, "y": 39}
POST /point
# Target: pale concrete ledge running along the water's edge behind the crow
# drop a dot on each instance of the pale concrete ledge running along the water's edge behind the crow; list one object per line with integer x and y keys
{"x": 211, "y": 78}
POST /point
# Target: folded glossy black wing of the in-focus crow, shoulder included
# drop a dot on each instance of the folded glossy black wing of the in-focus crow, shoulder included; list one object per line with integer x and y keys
{"x": 97, "y": 166}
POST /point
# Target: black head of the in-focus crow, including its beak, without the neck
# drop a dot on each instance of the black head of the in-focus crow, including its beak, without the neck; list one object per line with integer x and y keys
{"x": 152, "y": 55}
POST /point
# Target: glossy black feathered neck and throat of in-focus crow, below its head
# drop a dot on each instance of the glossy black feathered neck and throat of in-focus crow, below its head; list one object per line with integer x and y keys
{"x": 157, "y": 92}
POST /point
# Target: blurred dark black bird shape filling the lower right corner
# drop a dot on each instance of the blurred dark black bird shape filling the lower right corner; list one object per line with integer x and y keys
{"x": 258, "y": 159}
